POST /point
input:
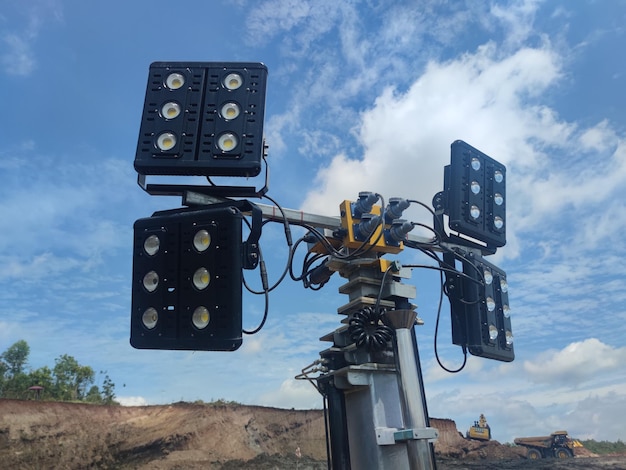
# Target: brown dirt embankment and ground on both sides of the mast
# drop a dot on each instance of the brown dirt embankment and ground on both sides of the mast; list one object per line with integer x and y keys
{"x": 50, "y": 435}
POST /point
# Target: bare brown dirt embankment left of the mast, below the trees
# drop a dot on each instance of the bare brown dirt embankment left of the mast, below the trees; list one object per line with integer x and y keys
{"x": 63, "y": 435}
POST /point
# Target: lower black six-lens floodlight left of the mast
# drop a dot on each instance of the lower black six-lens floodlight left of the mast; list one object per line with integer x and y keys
{"x": 187, "y": 280}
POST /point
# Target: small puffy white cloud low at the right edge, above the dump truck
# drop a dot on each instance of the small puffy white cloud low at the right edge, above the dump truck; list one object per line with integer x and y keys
{"x": 576, "y": 363}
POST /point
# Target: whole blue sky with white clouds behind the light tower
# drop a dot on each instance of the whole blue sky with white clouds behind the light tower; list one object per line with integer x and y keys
{"x": 361, "y": 96}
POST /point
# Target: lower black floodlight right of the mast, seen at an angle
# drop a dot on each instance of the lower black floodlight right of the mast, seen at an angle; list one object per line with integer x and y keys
{"x": 479, "y": 307}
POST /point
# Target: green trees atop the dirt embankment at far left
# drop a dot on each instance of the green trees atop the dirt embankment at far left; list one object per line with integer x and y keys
{"x": 66, "y": 381}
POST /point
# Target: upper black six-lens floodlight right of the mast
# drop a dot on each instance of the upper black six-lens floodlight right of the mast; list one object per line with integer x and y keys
{"x": 475, "y": 196}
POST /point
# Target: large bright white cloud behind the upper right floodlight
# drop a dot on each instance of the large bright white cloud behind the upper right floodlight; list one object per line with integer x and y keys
{"x": 477, "y": 97}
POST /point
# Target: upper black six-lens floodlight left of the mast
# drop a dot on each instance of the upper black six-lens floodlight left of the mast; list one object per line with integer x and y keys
{"x": 203, "y": 118}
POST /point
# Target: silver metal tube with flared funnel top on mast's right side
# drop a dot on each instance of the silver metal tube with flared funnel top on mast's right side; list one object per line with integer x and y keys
{"x": 411, "y": 387}
